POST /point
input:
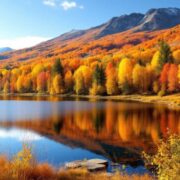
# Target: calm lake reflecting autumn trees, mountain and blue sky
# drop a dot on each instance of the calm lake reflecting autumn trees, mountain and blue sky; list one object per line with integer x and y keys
{"x": 66, "y": 129}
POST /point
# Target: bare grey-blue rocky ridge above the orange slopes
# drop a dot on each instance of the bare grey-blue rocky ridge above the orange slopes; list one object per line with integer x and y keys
{"x": 154, "y": 19}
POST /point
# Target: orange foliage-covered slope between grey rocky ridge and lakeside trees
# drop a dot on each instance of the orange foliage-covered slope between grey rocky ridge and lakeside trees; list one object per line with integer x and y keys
{"x": 136, "y": 45}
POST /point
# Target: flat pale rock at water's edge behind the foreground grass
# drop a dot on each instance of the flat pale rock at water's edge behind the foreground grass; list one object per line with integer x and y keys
{"x": 91, "y": 165}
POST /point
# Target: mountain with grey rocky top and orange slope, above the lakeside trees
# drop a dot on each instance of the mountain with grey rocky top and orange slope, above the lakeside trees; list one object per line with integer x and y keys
{"x": 131, "y": 30}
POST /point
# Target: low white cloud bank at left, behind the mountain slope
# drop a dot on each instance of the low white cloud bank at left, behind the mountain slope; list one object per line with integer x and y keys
{"x": 22, "y": 42}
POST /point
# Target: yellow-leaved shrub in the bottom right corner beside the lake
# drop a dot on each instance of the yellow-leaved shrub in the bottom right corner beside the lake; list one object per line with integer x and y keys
{"x": 167, "y": 159}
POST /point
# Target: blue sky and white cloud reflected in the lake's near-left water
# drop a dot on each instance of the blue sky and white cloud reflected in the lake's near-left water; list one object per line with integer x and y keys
{"x": 44, "y": 149}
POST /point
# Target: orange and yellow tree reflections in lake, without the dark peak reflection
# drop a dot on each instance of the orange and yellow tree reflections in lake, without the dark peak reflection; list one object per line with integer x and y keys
{"x": 133, "y": 124}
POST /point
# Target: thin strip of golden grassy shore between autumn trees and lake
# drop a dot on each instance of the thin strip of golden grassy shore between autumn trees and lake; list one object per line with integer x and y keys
{"x": 171, "y": 101}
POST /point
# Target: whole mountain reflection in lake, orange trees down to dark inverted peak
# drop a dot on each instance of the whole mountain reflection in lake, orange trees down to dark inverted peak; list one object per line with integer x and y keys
{"x": 116, "y": 130}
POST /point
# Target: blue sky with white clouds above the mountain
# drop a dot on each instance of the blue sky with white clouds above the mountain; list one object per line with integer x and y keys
{"x": 27, "y": 22}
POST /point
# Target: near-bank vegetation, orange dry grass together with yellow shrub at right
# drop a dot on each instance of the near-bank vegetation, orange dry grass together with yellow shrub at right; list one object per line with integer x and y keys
{"x": 23, "y": 166}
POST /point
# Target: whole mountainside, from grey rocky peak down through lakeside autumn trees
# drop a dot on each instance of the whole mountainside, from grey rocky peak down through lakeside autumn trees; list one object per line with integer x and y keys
{"x": 101, "y": 62}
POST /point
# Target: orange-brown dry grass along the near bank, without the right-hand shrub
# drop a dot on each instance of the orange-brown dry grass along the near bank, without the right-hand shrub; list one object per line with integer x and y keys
{"x": 24, "y": 169}
